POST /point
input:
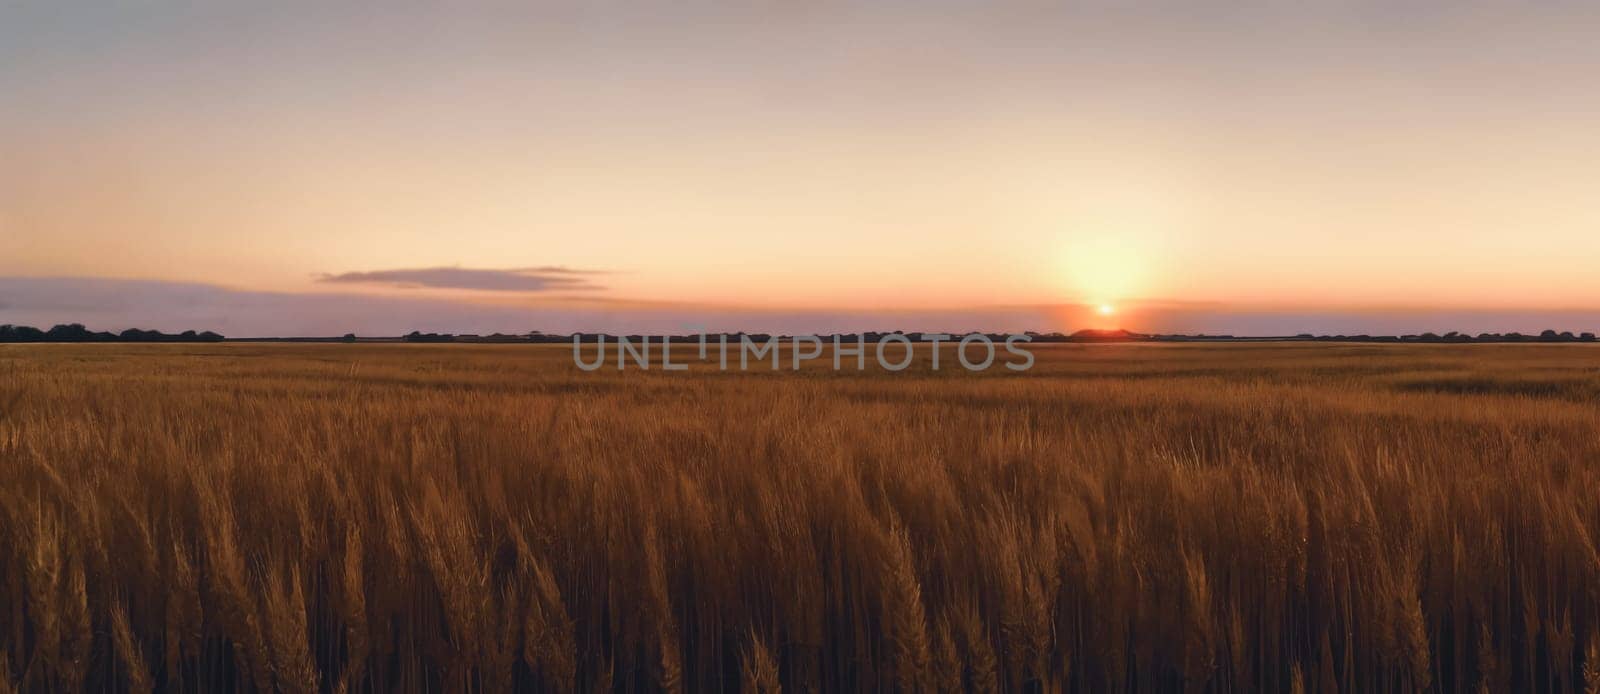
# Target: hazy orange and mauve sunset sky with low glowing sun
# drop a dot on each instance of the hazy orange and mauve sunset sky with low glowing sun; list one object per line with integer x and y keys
{"x": 1249, "y": 169}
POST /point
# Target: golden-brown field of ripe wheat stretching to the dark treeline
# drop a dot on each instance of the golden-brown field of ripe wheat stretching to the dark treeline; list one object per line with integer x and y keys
{"x": 1222, "y": 517}
